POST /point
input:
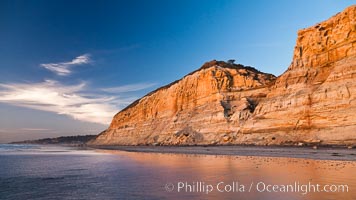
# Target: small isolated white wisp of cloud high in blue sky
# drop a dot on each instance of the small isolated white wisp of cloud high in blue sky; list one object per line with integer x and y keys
{"x": 63, "y": 68}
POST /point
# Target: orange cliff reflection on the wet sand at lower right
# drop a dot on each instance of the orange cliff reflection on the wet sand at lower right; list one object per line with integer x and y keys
{"x": 244, "y": 170}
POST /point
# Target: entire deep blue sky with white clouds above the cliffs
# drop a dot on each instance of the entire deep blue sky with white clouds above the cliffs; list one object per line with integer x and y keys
{"x": 66, "y": 67}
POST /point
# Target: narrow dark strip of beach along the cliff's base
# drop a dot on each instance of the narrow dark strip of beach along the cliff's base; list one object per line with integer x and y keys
{"x": 321, "y": 153}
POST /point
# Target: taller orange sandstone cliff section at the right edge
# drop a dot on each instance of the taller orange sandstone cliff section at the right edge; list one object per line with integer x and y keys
{"x": 314, "y": 100}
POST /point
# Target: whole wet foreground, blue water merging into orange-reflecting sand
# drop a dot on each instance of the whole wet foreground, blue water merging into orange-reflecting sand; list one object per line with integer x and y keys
{"x": 57, "y": 172}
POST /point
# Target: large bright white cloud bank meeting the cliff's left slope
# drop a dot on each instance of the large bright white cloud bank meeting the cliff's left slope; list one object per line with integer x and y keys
{"x": 68, "y": 100}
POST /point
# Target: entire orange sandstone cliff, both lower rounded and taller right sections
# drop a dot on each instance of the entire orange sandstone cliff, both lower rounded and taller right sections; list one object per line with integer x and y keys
{"x": 314, "y": 101}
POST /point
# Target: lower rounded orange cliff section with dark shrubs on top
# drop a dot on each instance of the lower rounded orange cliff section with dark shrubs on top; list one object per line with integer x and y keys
{"x": 200, "y": 108}
